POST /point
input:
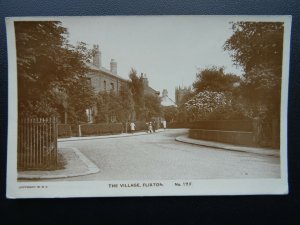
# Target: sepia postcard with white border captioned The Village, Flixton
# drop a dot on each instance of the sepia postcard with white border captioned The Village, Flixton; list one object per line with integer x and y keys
{"x": 147, "y": 105}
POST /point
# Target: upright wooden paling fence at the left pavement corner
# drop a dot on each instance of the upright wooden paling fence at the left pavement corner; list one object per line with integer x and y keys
{"x": 37, "y": 143}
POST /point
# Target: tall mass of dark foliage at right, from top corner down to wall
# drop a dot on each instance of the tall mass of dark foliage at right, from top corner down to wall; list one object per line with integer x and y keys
{"x": 258, "y": 47}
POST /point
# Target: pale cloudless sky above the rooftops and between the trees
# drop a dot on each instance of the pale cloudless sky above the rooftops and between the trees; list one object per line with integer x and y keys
{"x": 170, "y": 50}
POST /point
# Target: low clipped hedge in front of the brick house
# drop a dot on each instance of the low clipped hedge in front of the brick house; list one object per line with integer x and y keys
{"x": 101, "y": 128}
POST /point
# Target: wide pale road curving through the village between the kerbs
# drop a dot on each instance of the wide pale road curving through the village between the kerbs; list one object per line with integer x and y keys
{"x": 159, "y": 156}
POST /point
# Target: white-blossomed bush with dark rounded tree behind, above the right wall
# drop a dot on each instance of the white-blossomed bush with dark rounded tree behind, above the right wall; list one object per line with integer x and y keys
{"x": 214, "y": 97}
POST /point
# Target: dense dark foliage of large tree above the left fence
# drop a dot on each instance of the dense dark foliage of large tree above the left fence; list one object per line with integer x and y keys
{"x": 51, "y": 72}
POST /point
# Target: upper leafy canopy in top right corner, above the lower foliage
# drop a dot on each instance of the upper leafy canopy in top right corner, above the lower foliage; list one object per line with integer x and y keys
{"x": 255, "y": 43}
